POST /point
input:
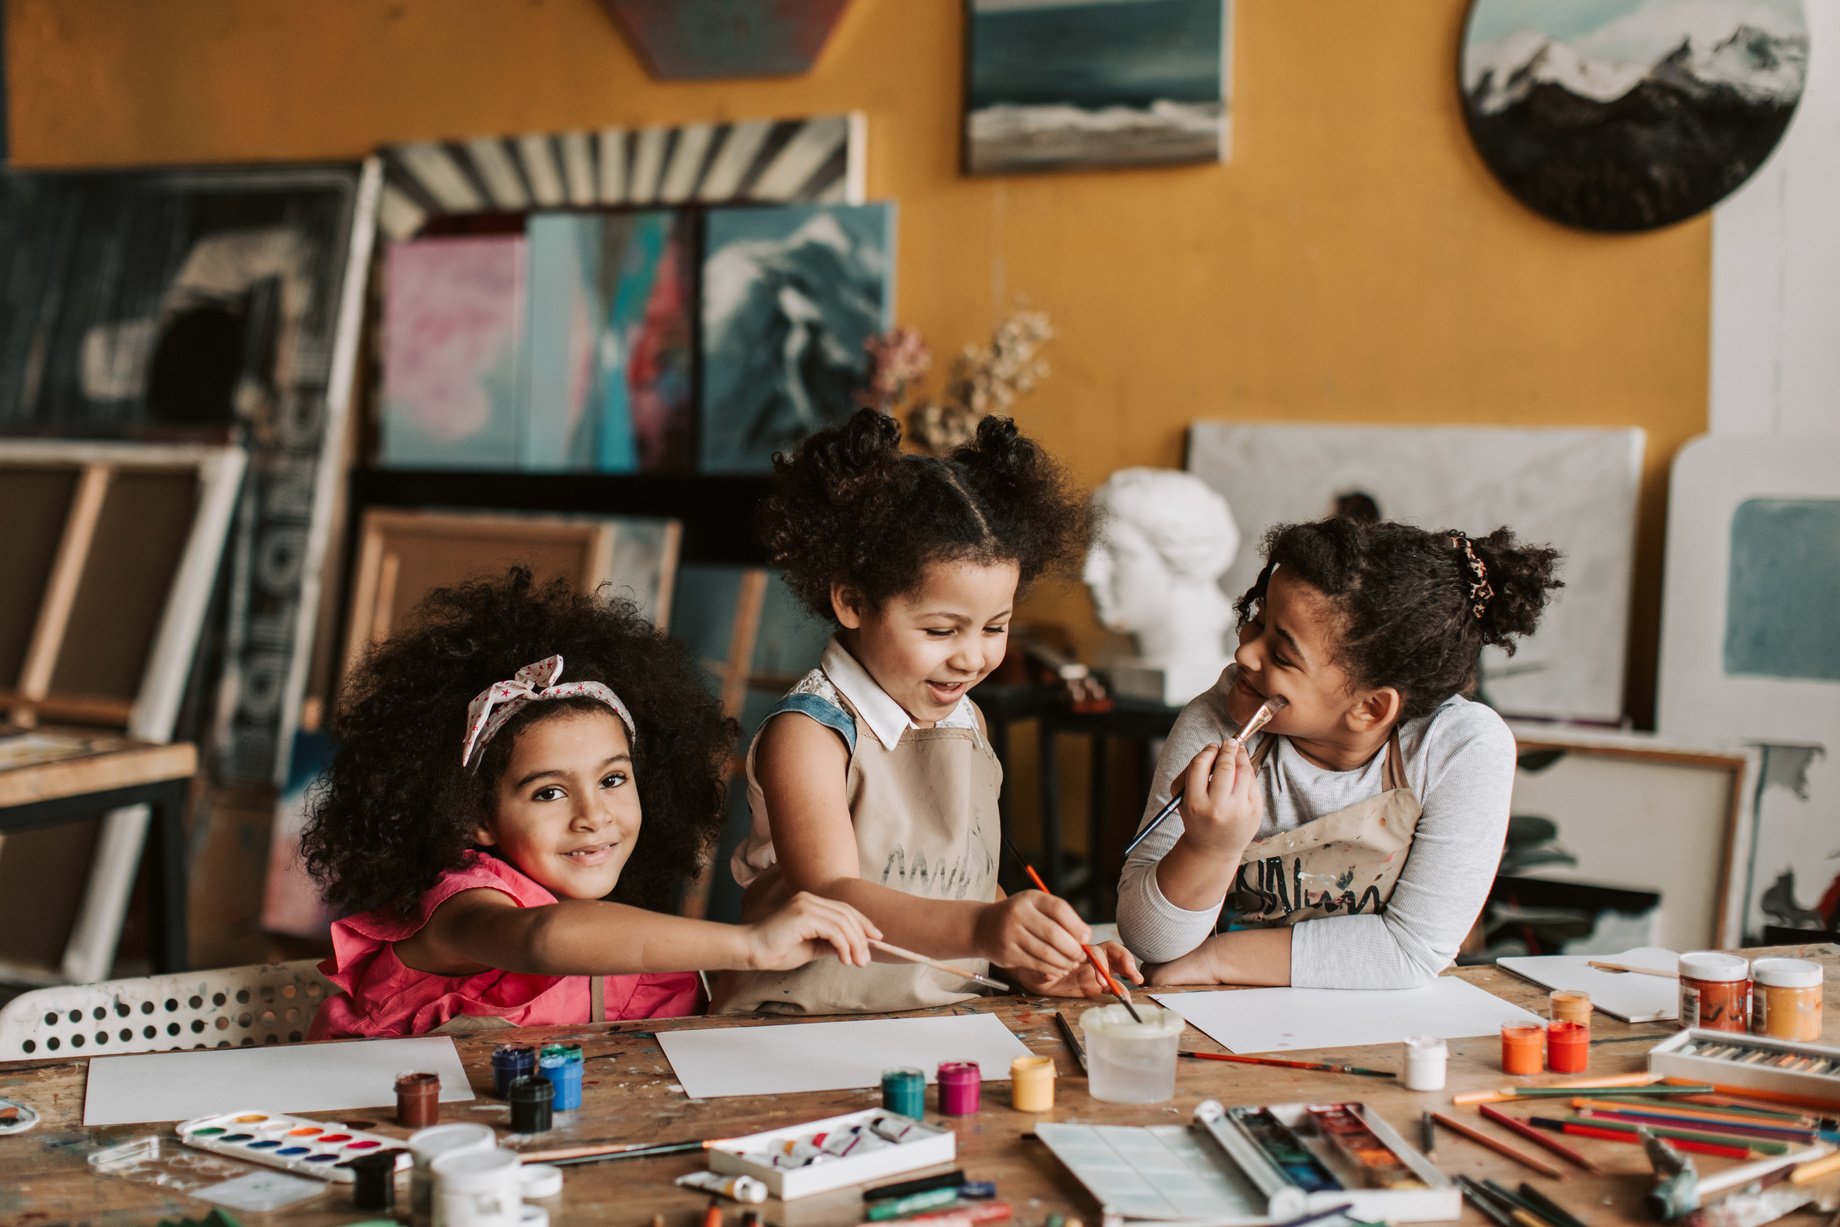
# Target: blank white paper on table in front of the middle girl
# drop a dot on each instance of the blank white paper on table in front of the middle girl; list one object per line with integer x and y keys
{"x": 834, "y": 1057}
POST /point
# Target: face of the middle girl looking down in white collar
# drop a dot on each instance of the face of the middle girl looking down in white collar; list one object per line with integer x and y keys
{"x": 934, "y": 645}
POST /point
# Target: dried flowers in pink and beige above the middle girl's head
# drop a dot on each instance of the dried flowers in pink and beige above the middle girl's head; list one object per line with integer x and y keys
{"x": 985, "y": 380}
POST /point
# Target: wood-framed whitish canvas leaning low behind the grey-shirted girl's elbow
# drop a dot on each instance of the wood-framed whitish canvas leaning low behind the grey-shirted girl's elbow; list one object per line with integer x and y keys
{"x": 1648, "y": 814}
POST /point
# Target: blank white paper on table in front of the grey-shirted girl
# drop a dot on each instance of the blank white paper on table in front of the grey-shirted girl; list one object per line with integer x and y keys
{"x": 1278, "y": 1020}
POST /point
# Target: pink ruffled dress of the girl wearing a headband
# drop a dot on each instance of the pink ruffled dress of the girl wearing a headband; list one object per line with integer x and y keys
{"x": 384, "y": 998}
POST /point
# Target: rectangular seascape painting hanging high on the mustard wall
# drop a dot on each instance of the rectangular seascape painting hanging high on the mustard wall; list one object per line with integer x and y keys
{"x": 1092, "y": 84}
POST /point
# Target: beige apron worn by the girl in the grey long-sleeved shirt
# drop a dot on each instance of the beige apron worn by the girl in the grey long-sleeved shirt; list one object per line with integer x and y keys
{"x": 1339, "y": 866}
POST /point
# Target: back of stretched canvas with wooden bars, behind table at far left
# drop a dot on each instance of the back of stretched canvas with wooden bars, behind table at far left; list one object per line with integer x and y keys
{"x": 115, "y": 549}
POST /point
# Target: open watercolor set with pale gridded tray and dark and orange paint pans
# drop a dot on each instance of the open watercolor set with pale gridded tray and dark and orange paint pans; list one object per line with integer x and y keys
{"x": 1256, "y": 1165}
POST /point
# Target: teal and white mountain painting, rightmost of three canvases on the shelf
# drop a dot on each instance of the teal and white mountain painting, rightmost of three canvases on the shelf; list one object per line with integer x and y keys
{"x": 790, "y": 295}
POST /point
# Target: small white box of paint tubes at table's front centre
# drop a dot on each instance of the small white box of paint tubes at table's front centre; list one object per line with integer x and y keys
{"x": 820, "y": 1156}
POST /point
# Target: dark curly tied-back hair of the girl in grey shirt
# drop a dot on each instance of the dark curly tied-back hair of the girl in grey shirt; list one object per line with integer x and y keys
{"x": 1407, "y": 599}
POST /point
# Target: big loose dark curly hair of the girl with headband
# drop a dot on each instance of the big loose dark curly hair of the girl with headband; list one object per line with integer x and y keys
{"x": 397, "y": 808}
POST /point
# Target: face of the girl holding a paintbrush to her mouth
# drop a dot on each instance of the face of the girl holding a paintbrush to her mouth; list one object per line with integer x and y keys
{"x": 1289, "y": 648}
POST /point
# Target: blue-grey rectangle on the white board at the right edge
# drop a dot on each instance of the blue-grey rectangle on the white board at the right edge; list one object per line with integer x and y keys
{"x": 1784, "y": 590}
